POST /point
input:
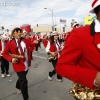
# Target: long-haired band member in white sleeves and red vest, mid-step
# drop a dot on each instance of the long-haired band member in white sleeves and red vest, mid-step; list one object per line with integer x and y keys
{"x": 54, "y": 48}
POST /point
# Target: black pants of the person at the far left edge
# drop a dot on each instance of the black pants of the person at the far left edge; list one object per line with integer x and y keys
{"x": 4, "y": 66}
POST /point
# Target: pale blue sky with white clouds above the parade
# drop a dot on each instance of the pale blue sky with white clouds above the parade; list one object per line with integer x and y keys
{"x": 33, "y": 12}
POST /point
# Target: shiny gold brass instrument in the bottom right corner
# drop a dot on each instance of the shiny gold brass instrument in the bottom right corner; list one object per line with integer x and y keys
{"x": 80, "y": 92}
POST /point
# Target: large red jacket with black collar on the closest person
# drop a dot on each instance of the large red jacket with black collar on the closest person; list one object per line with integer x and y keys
{"x": 80, "y": 58}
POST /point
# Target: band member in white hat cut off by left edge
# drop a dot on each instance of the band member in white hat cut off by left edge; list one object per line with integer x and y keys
{"x": 4, "y": 62}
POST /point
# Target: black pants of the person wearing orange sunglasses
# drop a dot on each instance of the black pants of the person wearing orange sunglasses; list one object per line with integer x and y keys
{"x": 22, "y": 84}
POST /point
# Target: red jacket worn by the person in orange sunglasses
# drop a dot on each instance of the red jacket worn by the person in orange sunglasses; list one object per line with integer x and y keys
{"x": 11, "y": 48}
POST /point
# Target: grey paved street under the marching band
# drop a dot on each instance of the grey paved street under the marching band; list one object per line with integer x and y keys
{"x": 40, "y": 88}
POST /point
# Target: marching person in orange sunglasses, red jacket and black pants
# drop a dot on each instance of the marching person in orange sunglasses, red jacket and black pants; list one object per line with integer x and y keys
{"x": 17, "y": 51}
